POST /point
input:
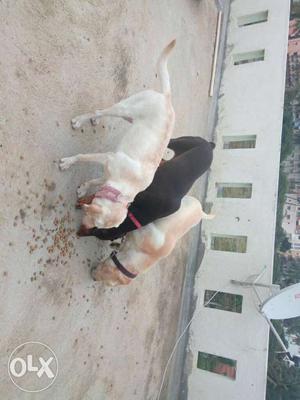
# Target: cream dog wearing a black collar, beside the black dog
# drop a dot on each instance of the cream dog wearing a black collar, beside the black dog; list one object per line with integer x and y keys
{"x": 144, "y": 247}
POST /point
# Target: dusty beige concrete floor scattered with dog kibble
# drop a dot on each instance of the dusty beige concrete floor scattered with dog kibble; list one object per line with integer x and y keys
{"x": 60, "y": 58}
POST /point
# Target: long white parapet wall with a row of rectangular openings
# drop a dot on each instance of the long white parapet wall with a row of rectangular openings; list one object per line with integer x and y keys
{"x": 251, "y": 103}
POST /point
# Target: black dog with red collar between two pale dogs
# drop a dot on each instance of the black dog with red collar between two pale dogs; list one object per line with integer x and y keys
{"x": 172, "y": 181}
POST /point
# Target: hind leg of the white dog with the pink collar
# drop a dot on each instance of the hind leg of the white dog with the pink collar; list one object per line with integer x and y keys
{"x": 118, "y": 110}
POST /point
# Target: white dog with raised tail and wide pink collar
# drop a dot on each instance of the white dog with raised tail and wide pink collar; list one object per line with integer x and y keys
{"x": 131, "y": 168}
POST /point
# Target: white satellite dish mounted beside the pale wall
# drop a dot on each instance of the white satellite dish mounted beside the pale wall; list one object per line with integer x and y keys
{"x": 283, "y": 305}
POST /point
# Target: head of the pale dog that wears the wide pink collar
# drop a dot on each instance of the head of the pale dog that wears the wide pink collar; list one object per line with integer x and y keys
{"x": 102, "y": 215}
